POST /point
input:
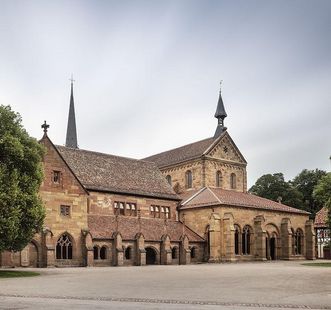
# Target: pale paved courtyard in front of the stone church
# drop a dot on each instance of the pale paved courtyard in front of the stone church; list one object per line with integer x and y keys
{"x": 269, "y": 285}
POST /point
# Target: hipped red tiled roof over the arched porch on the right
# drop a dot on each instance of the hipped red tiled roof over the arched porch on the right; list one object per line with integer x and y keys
{"x": 210, "y": 196}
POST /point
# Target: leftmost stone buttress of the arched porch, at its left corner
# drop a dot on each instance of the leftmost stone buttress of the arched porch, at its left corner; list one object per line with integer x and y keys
{"x": 214, "y": 238}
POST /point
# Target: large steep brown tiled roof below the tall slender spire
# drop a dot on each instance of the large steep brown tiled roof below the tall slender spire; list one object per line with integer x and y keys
{"x": 103, "y": 172}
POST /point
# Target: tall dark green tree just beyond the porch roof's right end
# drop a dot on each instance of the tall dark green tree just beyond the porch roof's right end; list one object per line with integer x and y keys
{"x": 305, "y": 182}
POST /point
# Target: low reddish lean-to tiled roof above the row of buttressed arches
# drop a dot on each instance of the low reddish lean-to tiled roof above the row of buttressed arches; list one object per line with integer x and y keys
{"x": 103, "y": 227}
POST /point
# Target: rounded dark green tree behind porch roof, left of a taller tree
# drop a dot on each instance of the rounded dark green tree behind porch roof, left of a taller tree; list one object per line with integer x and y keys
{"x": 274, "y": 187}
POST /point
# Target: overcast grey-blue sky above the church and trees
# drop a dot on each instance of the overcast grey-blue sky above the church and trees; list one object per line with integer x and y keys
{"x": 147, "y": 75}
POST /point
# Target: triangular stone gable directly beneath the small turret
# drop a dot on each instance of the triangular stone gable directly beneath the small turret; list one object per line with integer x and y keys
{"x": 225, "y": 149}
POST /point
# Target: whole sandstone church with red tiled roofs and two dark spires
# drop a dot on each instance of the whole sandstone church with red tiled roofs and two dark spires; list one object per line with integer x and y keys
{"x": 182, "y": 206}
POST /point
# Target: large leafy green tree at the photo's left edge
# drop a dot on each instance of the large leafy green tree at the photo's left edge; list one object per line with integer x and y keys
{"x": 21, "y": 209}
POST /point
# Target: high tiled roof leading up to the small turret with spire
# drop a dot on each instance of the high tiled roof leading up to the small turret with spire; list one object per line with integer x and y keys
{"x": 180, "y": 154}
